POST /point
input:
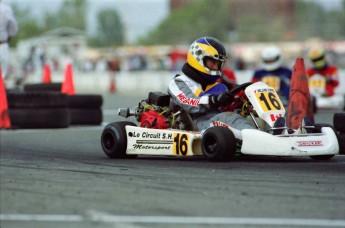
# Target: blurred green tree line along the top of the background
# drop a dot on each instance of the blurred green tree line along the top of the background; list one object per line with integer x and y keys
{"x": 199, "y": 18}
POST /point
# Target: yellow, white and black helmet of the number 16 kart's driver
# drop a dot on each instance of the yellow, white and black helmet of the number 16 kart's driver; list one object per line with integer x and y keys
{"x": 203, "y": 48}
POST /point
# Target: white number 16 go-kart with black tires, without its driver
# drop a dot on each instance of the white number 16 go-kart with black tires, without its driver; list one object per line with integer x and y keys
{"x": 166, "y": 129}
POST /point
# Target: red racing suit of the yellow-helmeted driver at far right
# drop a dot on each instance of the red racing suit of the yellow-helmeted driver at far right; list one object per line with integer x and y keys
{"x": 330, "y": 73}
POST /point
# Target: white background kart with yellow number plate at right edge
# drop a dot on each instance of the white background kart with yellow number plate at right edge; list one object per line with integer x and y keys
{"x": 317, "y": 90}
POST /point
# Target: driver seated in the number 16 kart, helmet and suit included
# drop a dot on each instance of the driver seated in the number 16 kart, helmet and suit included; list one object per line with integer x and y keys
{"x": 198, "y": 92}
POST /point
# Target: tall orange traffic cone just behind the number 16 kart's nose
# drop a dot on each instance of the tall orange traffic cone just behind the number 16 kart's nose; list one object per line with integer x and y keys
{"x": 299, "y": 100}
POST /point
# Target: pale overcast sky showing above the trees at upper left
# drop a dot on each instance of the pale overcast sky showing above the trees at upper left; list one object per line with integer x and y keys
{"x": 139, "y": 16}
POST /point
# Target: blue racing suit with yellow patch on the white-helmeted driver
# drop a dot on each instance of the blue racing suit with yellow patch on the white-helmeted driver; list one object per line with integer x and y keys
{"x": 279, "y": 79}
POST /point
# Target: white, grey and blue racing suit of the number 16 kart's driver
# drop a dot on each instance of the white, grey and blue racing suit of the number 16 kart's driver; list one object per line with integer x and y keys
{"x": 192, "y": 93}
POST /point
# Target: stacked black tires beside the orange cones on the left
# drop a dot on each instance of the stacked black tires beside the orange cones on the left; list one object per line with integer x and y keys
{"x": 44, "y": 106}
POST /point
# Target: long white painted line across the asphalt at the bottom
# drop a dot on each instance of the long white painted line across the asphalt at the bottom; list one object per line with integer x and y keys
{"x": 98, "y": 217}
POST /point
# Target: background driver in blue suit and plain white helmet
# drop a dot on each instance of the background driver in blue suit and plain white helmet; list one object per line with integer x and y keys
{"x": 273, "y": 73}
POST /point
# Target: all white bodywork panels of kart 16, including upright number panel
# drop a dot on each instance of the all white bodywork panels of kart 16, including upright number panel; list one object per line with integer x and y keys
{"x": 268, "y": 107}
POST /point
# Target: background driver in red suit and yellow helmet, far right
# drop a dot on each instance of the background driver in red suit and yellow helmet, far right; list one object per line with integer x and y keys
{"x": 323, "y": 68}
